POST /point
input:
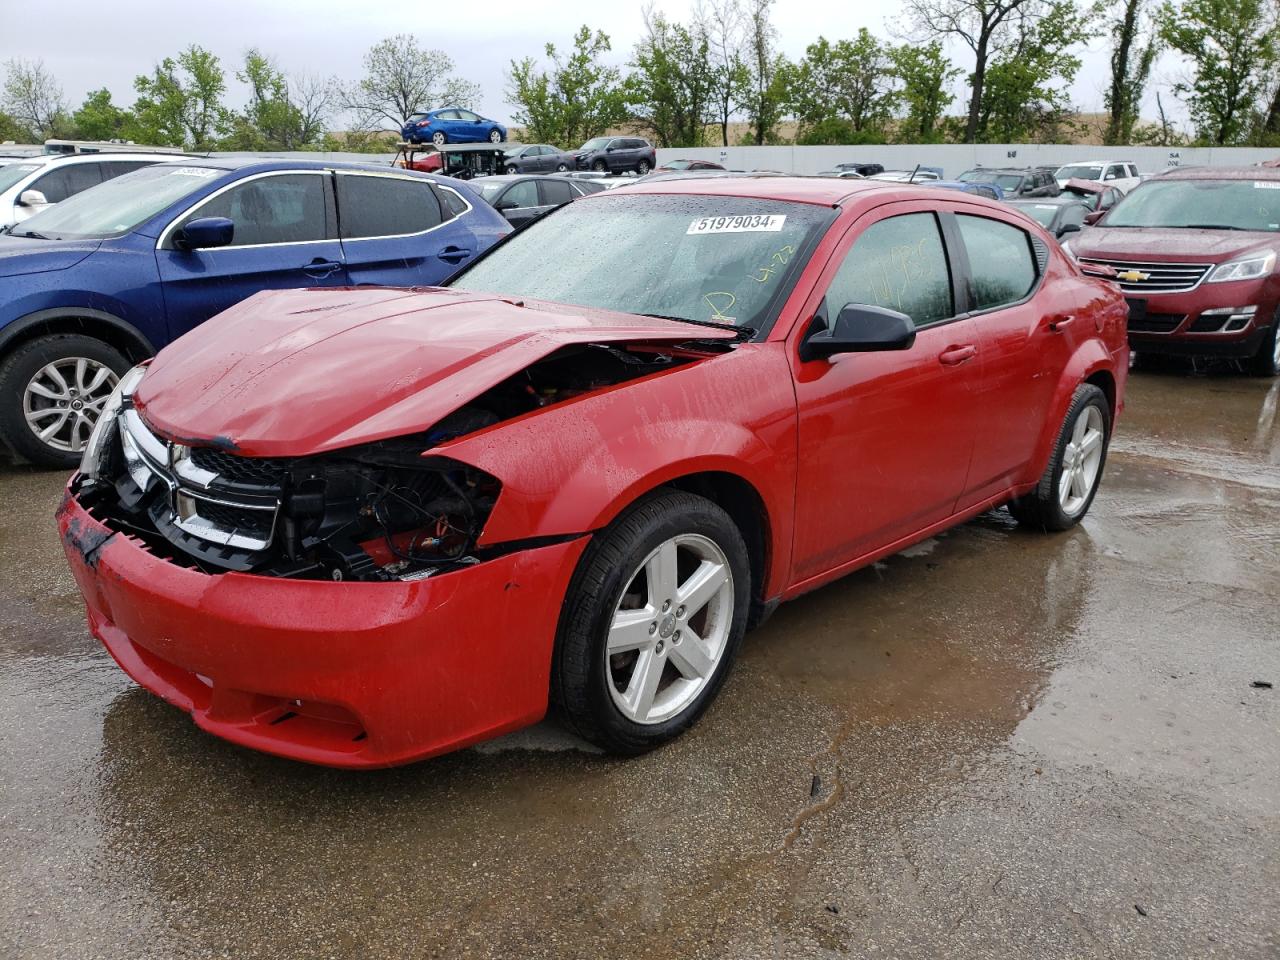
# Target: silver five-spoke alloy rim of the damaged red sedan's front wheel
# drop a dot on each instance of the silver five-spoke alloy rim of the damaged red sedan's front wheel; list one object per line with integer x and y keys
{"x": 670, "y": 629}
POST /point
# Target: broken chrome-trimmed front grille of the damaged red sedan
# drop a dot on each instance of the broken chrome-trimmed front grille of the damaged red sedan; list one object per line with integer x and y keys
{"x": 196, "y": 500}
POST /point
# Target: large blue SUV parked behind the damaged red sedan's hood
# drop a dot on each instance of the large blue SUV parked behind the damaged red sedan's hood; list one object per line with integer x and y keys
{"x": 106, "y": 278}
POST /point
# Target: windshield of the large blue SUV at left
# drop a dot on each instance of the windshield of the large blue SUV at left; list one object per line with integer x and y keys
{"x": 120, "y": 205}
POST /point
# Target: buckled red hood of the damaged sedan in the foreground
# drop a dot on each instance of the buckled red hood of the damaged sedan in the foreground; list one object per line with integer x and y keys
{"x": 291, "y": 373}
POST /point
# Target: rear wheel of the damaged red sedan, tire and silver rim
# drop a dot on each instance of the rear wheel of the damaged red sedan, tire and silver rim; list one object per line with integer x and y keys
{"x": 1071, "y": 481}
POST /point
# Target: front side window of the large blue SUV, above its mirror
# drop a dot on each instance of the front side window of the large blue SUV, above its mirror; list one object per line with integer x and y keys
{"x": 287, "y": 209}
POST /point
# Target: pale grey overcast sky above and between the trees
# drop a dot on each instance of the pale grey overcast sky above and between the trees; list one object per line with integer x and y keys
{"x": 90, "y": 44}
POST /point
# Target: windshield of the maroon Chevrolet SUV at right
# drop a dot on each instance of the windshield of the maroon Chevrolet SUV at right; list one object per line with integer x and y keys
{"x": 1238, "y": 205}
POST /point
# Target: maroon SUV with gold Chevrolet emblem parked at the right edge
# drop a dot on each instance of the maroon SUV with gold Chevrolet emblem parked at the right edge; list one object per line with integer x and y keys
{"x": 1196, "y": 254}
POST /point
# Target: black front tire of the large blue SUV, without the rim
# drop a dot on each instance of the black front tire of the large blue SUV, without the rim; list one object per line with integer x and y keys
{"x": 21, "y": 367}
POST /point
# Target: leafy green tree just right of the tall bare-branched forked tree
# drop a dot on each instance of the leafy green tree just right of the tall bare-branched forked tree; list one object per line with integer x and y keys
{"x": 1026, "y": 95}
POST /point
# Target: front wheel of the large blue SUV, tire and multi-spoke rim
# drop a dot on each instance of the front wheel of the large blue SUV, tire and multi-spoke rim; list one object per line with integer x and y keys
{"x": 52, "y": 392}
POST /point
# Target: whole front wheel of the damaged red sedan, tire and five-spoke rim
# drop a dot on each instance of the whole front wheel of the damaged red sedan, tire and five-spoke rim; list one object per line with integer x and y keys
{"x": 652, "y": 623}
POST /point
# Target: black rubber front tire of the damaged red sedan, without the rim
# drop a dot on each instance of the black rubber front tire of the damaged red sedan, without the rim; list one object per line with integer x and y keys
{"x": 580, "y": 676}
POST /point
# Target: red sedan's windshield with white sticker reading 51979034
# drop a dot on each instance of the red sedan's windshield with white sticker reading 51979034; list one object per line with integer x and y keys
{"x": 712, "y": 259}
